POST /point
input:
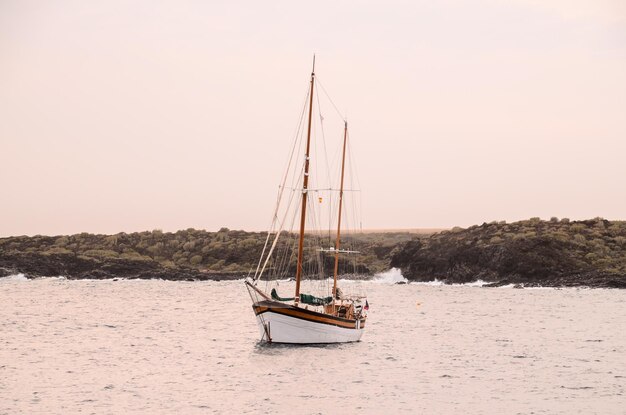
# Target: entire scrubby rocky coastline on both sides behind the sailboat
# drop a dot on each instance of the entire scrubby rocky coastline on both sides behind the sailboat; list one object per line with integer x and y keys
{"x": 532, "y": 253}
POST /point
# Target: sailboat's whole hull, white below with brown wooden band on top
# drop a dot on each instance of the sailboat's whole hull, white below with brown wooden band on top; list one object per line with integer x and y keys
{"x": 283, "y": 323}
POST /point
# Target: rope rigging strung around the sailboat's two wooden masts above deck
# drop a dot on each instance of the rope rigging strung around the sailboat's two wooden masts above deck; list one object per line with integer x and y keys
{"x": 280, "y": 248}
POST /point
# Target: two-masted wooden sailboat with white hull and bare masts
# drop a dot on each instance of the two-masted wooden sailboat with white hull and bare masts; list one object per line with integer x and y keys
{"x": 331, "y": 314}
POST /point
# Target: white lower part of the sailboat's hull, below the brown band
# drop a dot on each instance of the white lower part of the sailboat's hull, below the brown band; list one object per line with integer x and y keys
{"x": 287, "y": 329}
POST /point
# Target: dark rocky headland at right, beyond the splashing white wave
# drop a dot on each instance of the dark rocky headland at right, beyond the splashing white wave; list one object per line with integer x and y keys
{"x": 529, "y": 253}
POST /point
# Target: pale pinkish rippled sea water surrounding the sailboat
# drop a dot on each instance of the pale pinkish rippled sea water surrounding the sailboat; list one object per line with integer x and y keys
{"x": 160, "y": 347}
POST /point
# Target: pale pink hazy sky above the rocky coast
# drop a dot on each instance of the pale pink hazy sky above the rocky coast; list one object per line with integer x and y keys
{"x": 139, "y": 115}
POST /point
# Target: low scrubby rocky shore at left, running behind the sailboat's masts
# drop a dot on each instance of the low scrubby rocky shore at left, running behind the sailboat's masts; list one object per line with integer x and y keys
{"x": 184, "y": 255}
